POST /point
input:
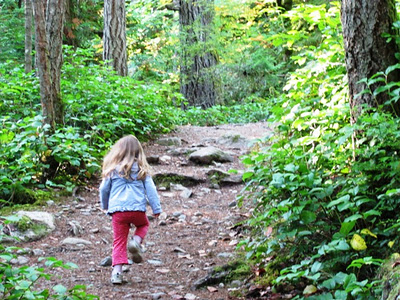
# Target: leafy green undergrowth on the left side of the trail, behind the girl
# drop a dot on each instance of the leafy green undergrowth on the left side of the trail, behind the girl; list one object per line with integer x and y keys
{"x": 100, "y": 107}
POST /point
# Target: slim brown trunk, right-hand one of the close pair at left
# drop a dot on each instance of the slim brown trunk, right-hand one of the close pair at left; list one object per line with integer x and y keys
{"x": 54, "y": 29}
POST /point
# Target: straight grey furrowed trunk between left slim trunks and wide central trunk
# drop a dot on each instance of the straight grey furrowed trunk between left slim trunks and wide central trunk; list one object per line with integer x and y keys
{"x": 114, "y": 38}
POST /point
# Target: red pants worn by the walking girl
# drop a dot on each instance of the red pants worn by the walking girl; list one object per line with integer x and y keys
{"x": 121, "y": 222}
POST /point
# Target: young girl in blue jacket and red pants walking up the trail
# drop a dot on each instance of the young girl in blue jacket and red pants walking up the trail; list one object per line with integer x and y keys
{"x": 124, "y": 192}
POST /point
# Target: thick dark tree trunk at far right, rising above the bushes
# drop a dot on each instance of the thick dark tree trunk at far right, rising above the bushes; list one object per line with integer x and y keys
{"x": 367, "y": 52}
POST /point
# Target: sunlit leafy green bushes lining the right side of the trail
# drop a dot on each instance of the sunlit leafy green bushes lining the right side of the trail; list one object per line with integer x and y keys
{"x": 324, "y": 191}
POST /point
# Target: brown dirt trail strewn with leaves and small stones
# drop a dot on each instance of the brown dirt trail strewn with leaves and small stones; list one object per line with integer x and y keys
{"x": 197, "y": 235}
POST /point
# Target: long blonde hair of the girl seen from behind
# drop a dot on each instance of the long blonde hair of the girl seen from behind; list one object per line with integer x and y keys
{"x": 123, "y": 155}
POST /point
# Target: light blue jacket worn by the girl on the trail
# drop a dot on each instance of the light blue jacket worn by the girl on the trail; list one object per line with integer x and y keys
{"x": 119, "y": 194}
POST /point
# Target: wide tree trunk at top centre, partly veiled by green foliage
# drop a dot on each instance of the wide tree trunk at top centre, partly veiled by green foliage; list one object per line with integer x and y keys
{"x": 198, "y": 80}
